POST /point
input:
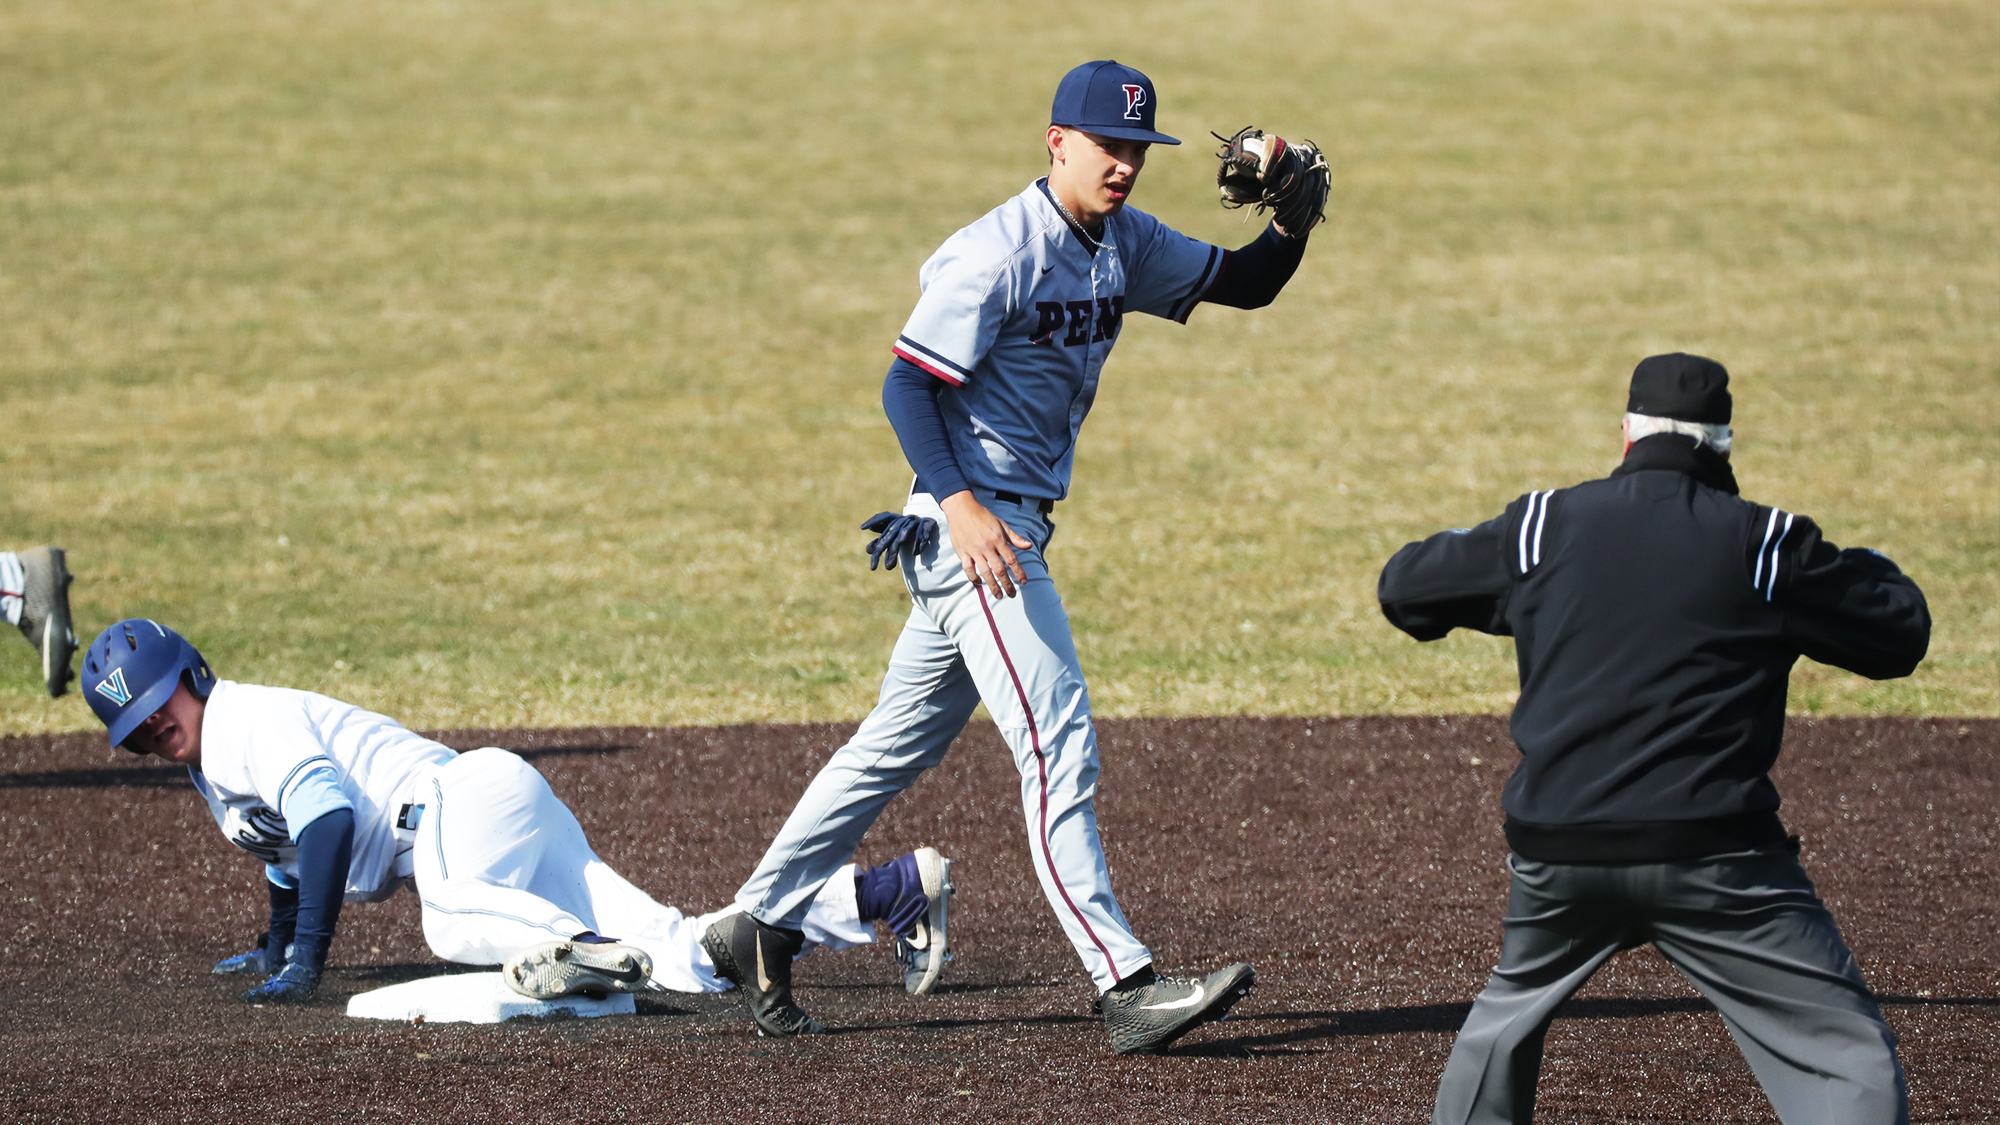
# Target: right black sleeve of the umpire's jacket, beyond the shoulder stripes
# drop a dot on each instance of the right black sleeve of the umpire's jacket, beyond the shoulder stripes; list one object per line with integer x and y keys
{"x": 1853, "y": 610}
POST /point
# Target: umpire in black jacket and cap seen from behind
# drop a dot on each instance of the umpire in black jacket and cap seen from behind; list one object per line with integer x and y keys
{"x": 1657, "y": 618}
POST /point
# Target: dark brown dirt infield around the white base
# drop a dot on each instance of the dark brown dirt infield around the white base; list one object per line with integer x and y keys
{"x": 1357, "y": 862}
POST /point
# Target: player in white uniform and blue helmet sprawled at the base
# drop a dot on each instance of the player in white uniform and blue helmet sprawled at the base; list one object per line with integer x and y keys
{"x": 347, "y": 806}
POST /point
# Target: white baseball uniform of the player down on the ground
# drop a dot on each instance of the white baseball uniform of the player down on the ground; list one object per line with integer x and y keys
{"x": 495, "y": 858}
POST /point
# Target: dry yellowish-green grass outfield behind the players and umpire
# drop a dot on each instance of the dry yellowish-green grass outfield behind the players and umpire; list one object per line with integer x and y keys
{"x": 503, "y": 363}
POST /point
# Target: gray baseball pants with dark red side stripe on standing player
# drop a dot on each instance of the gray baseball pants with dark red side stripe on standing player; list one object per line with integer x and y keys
{"x": 959, "y": 648}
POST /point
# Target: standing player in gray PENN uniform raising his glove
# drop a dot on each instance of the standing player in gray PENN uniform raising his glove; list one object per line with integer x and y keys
{"x": 993, "y": 379}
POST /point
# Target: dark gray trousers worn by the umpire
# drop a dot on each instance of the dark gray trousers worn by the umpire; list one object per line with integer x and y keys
{"x": 1745, "y": 928}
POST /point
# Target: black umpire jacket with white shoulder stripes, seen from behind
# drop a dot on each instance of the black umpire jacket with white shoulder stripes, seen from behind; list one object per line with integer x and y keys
{"x": 1657, "y": 618}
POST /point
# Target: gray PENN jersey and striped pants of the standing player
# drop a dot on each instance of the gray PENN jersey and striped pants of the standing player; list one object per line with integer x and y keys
{"x": 1019, "y": 315}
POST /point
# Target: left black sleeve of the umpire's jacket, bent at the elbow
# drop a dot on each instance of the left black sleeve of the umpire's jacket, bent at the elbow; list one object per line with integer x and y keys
{"x": 1455, "y": 580}
